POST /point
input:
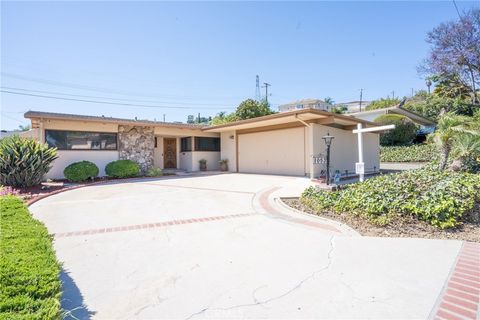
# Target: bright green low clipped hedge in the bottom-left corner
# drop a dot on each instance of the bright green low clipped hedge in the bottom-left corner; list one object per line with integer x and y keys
{"x": 29, "y": 272}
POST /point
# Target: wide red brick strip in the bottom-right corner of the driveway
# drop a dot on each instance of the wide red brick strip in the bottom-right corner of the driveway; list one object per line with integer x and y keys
{"x": 460, "y": 298}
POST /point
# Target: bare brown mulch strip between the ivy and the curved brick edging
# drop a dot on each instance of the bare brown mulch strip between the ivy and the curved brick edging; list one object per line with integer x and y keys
{"x": 406, "y": 227}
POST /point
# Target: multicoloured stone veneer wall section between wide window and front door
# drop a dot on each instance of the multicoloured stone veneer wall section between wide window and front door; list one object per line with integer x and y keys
{"x": 137, "y": 143}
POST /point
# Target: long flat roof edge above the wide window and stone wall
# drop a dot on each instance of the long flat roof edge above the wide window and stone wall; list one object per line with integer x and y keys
{"x": 103, "y": 119}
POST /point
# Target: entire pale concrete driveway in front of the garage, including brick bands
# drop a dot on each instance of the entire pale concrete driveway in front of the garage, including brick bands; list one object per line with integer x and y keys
{"x": 221, "y": 246}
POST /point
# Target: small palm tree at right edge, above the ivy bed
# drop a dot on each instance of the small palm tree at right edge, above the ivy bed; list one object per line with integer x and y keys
{"x": 451, "y": 125}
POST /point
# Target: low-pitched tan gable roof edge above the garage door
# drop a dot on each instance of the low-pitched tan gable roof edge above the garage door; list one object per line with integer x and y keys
{"x": 296, "y": 116}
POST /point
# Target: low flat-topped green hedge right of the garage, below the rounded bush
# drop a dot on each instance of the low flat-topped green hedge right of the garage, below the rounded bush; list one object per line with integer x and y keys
{"x": 424, "y": 152}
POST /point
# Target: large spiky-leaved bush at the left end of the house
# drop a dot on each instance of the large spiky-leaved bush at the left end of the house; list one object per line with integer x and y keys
{"x": 24, "y": 162}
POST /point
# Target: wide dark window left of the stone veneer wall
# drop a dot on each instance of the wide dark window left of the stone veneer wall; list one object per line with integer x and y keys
{"x": 81, "y": 140}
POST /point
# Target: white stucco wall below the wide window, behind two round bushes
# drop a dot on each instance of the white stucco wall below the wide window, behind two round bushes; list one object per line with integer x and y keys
{"x": 67, "y": 157}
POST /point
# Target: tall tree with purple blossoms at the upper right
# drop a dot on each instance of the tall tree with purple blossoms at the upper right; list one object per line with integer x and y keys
{"x": 455, "y": 52}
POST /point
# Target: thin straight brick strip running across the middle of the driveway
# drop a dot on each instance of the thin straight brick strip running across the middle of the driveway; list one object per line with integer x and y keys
{"x": 150, "y": 225}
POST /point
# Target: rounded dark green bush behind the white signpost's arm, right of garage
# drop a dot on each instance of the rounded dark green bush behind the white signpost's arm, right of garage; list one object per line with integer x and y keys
{"x": 404, "y": 132}
